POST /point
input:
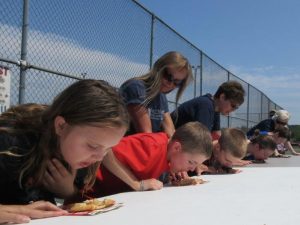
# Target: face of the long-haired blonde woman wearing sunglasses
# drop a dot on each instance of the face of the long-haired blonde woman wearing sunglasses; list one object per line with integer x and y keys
{"x": 172, "y": 78}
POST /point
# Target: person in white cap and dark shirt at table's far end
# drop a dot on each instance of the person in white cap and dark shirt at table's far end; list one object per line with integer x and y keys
{"x": 280, "y": 119}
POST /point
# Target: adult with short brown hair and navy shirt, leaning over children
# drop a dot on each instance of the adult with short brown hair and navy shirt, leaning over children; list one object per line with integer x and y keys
{"x": 207, "y": 108}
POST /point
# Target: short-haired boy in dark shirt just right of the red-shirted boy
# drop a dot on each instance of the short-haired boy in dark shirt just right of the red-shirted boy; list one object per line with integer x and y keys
{"x": 231, "y": 146}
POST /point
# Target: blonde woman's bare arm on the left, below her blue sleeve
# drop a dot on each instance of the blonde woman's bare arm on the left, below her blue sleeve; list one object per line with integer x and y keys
{"x": 140, "y": 118}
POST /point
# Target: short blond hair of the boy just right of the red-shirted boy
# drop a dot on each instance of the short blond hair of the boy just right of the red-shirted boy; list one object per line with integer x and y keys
{"x": 233, "y": 141}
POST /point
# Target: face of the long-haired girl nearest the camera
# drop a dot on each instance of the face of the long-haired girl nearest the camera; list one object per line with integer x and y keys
{"x": 82, "y": 146}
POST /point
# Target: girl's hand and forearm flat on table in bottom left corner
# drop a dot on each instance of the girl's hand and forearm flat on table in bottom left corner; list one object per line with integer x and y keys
{"x": 23, "y": 213}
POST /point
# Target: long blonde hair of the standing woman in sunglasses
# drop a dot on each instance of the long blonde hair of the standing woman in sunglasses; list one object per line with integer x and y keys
{"x": 153, "y": 78}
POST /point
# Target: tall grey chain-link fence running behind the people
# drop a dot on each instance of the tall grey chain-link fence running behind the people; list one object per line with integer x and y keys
{"x": 47, "y": 45}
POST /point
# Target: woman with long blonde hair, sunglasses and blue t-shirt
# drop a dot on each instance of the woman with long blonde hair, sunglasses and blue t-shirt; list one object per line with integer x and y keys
{"x": 145, "y": 96}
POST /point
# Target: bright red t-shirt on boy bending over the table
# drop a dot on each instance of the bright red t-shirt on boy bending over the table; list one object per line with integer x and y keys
{"x": 145, "y": 154}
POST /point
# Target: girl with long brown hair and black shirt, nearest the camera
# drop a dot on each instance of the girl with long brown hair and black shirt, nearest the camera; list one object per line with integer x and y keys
{"x": 74, "y": 132}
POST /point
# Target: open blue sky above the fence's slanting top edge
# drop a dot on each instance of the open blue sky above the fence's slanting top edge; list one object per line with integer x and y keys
{"x": 257, "y": 40}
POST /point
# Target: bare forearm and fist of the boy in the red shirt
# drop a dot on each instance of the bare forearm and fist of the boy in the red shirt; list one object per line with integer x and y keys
{"x": 123, "y": 173}
